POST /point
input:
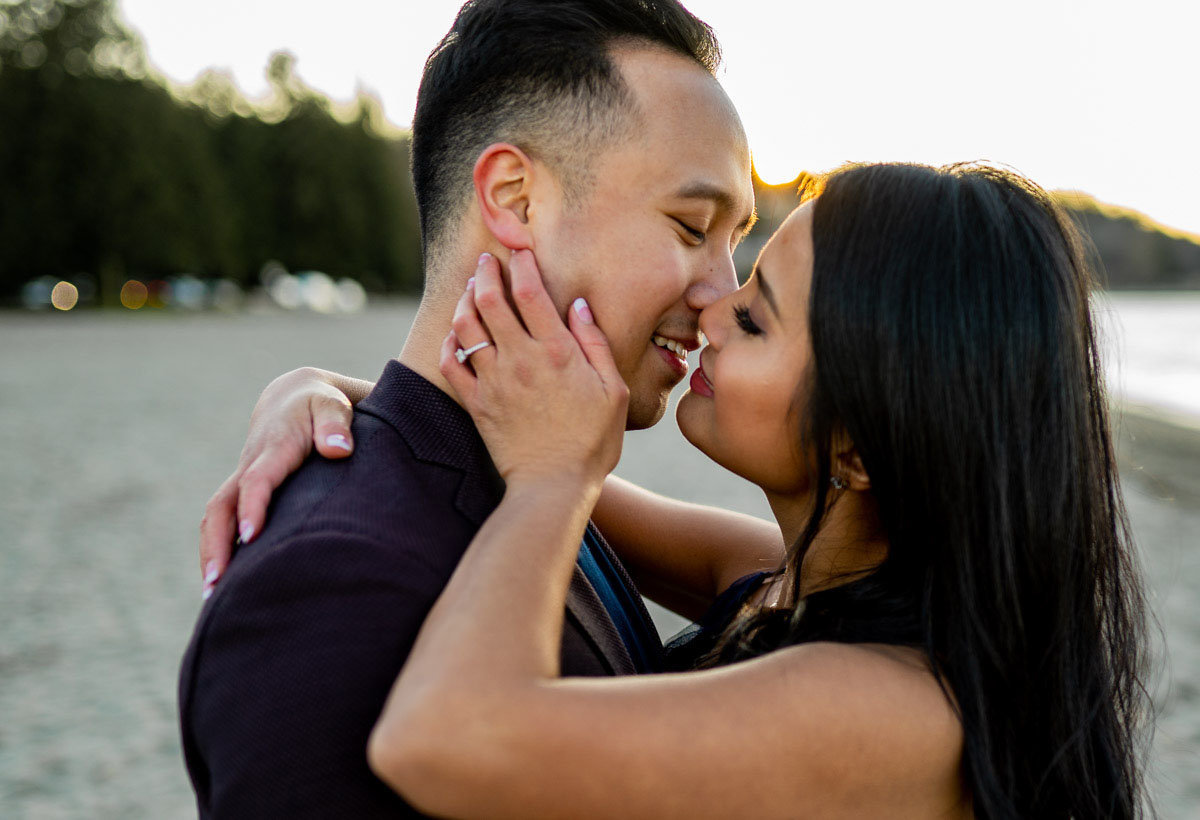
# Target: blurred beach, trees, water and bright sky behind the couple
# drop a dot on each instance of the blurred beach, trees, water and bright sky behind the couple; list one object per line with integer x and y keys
{"x": 196, "y": 197}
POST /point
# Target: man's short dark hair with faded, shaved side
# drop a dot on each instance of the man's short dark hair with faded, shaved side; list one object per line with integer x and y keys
{"x": 537, "y": 74}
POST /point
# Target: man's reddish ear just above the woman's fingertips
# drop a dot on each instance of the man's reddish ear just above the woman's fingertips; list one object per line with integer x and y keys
{"x": 503, "y": 189}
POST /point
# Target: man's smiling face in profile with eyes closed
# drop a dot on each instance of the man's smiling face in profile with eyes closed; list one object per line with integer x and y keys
{"x": 652, "y": 244}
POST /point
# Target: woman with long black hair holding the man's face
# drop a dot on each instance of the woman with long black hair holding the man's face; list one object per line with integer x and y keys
{"x": 956, "y": 627}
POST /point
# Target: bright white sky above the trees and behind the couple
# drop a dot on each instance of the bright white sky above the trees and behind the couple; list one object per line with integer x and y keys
{"x": 1091, "y": 95}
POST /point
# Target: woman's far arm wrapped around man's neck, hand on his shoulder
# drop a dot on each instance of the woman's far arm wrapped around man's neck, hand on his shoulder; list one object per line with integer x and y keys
{"x": 681, "y": 555}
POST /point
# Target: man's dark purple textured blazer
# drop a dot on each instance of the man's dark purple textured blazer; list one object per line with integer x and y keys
{"x": 296, "y": 653}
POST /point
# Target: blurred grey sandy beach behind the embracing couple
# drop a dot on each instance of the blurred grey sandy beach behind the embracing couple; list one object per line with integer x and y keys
{"x": 117, "y": 428}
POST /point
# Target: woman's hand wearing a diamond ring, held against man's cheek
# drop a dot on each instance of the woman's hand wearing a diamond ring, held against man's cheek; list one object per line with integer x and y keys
{"x": 547, "y": 398}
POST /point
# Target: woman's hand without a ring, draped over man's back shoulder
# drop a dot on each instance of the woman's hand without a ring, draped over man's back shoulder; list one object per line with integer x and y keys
{"x": 299, "y": 411}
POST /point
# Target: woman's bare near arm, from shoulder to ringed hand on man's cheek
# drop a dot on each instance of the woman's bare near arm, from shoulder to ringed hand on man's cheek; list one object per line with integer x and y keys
{"x": 479, "y": 723}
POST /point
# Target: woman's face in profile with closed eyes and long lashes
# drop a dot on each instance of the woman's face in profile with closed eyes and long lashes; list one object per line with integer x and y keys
{"x": 740, "y": 410}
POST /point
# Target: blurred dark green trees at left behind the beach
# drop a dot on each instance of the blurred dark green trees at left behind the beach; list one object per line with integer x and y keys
{"x": 106, "y": 172}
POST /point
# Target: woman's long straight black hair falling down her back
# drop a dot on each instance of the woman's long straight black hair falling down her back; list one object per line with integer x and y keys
{"x": 953, "y": 340}
